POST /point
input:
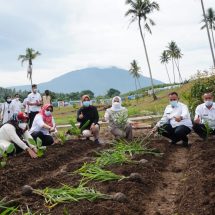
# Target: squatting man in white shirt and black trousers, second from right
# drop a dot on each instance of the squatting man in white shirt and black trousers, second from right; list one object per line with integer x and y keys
{"x": 175, "y": 123}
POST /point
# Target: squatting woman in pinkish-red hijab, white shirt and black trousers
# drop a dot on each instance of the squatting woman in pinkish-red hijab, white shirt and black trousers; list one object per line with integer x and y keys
{"x": 43, "y": 125}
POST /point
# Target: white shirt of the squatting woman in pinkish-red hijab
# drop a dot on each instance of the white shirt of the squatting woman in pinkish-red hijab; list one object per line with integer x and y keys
{"x": 38, "y": 124}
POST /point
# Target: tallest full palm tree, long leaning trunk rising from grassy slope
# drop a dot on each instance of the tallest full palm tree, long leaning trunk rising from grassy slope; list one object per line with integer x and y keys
{"x": 139, "y": 10}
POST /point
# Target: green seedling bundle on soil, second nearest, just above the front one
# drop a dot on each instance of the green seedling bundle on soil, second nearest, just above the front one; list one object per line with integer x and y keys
{"x": 91, "y": 171}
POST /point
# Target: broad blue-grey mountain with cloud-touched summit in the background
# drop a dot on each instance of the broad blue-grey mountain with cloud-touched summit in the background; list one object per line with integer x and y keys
{"x": 97, "y": 80}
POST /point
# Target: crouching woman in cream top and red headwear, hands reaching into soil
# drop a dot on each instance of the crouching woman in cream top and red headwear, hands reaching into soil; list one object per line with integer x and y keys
{"x": 15, "y": 131}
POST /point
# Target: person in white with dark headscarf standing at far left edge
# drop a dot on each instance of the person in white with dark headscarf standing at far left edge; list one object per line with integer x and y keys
{"x": 7, "y": 110}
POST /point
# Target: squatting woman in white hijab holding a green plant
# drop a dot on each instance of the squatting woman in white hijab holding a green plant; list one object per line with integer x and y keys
{"x": 117, "y": 117}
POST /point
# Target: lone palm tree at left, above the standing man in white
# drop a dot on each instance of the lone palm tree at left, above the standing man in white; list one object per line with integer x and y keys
{"x": 30, "y": 55}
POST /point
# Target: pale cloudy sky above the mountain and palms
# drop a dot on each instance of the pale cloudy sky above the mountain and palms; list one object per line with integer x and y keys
{"x": 74, "y": 34}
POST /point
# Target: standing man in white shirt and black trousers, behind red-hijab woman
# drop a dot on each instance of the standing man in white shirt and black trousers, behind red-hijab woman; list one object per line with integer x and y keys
{"x": 34, "y": 102}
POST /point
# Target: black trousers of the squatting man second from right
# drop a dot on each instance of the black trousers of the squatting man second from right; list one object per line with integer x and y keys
{"x": 175, "y": 134}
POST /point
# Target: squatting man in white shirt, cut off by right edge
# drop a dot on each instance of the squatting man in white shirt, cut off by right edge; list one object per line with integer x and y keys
{"x": 205, "y": 113}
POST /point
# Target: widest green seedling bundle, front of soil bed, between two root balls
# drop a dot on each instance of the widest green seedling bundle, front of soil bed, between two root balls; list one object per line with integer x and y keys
{"x": 54, "y": 196}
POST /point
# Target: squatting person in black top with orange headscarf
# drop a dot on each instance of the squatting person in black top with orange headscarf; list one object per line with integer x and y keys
{"x": 89, "y": 113}
